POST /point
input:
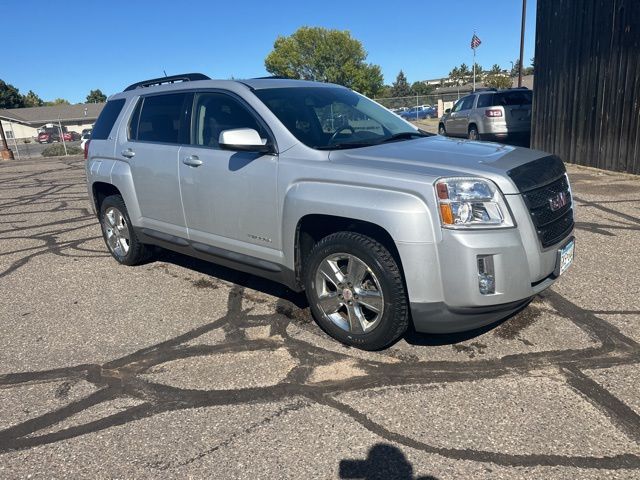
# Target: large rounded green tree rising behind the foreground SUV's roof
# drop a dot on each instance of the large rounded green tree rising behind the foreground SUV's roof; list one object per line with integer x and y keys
{"x": 314, "y": 53}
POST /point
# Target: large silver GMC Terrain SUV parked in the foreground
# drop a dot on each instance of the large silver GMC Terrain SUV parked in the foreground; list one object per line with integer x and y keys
{"x": 319, "y": 188}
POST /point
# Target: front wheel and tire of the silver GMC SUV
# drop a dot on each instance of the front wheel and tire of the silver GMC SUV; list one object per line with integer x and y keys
{"x": 356, "y": 292}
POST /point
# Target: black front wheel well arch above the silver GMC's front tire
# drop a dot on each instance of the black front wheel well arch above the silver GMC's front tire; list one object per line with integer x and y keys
{"x": 312, "y": 228}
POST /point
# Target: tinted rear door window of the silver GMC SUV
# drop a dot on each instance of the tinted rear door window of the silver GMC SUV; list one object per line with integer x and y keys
{"x": 161, "y": 118}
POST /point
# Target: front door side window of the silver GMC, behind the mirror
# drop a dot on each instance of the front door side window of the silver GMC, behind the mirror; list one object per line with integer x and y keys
{"x": 216, "y": 112}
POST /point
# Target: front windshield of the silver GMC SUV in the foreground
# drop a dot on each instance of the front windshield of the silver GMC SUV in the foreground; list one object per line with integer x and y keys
{"x": 328, "y": 118}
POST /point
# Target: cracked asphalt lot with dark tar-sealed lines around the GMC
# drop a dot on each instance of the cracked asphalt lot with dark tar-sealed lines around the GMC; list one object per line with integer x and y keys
{"x": 182, "y": 369}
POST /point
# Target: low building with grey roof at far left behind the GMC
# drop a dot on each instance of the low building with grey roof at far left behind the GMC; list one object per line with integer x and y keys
{"x": 24, "y": 123}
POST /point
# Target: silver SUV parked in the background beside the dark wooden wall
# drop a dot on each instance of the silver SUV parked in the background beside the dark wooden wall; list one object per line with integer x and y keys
{"x": 490, "y": 115}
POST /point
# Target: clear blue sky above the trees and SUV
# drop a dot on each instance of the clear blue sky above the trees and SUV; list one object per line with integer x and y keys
{"x": 82, "y": 45}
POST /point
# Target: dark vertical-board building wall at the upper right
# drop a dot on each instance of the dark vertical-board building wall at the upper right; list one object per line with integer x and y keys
{"x": 587, "y": 87}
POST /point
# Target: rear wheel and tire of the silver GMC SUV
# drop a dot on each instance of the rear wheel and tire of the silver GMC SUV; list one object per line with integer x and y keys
{"x": 118, "y": 233}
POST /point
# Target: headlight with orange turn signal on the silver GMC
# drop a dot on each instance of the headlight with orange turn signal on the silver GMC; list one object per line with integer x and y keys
{"x": 467, "y": 202}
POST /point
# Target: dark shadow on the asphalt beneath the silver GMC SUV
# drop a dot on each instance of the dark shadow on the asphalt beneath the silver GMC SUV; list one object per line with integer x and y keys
{"x": 299, "y": 300}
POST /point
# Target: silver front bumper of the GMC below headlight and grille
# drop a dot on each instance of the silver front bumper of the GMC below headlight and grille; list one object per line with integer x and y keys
{"x": 445, "y": 295}
